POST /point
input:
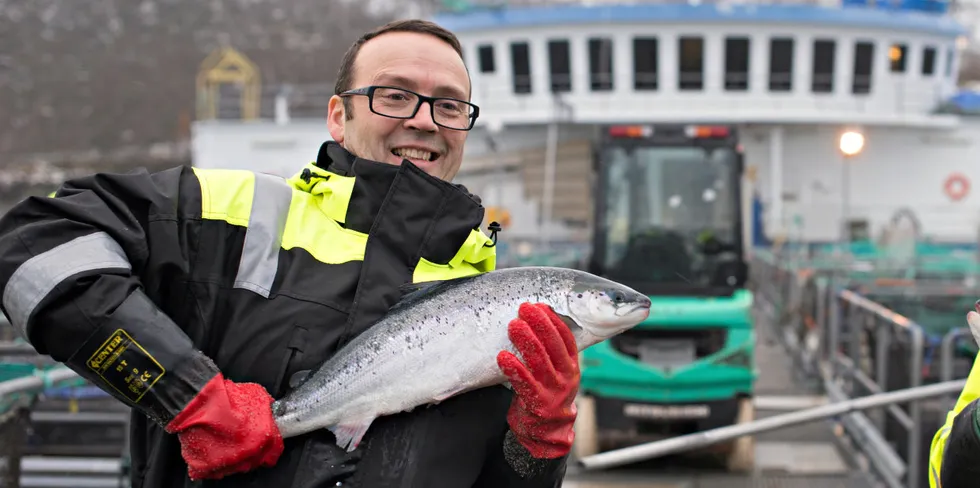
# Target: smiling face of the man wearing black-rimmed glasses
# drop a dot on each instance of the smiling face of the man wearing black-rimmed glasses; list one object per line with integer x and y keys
{"x": 419, "y": 62}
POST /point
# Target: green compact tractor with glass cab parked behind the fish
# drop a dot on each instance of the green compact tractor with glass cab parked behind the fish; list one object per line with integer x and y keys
{"x": 668, "y": 223}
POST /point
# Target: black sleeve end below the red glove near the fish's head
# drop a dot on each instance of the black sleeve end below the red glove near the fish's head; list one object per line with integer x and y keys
{"x": 513, "y": 466}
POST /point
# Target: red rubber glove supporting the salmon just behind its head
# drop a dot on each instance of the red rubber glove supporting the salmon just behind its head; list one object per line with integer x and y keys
{"x": 542, "y": 415}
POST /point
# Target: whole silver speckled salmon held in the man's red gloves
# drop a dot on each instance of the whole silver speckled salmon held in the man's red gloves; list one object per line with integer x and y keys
{"x": 442, "y": 339}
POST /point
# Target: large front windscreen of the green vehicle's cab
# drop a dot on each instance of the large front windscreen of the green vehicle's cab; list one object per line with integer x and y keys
{"x": 667, "y": 211}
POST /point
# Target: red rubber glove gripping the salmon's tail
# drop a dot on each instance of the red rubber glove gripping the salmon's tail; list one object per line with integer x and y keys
{"x": 227, "y": 428}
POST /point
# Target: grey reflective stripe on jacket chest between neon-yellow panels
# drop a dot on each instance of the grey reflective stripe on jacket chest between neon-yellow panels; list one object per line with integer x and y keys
{"x": 263, "y": 239}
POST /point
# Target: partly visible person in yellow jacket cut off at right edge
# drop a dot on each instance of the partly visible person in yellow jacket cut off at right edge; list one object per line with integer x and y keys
{"x": 954, "y": 458}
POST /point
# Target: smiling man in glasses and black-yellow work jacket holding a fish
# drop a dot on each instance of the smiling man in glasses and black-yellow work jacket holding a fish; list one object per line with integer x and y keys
{"x": 197, "y": 296}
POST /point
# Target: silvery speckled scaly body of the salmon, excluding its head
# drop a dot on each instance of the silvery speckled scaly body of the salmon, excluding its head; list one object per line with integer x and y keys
{"x": 433, "y": 347}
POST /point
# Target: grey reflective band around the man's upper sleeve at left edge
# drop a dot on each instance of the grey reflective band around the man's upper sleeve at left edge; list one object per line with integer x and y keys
{"x": 34, "y": 279}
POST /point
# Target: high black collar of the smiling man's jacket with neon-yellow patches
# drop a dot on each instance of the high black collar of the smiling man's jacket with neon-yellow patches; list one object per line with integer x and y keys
{"x": 351, "y": 190}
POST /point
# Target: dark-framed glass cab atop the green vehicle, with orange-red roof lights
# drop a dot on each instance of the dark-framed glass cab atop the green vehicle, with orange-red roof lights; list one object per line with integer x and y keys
{"x": 668, "y": 210}
